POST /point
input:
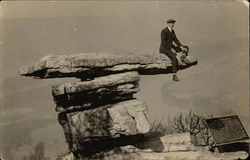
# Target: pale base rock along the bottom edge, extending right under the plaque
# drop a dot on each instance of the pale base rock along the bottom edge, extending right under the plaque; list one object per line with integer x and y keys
{"x": 168, "y": 147}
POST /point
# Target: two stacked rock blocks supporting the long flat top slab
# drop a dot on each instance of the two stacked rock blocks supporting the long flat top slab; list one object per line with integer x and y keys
{"x": 101, "y": 112}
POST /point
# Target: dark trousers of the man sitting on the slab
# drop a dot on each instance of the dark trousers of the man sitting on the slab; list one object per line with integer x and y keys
{"x": 172, "y": 56}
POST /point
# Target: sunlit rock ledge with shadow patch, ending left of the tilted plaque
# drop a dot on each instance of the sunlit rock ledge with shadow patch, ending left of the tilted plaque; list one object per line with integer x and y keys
{"x": 146, "y": 147}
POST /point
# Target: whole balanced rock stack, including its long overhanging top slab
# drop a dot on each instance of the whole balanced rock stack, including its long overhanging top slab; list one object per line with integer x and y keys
{"x": 99, "y": 111}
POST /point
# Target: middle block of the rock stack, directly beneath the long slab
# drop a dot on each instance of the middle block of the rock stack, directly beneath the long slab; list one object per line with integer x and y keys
{"x": 99, "y": 91}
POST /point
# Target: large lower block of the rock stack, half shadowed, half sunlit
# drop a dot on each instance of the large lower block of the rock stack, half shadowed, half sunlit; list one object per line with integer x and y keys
{"x": 85, "y": 128}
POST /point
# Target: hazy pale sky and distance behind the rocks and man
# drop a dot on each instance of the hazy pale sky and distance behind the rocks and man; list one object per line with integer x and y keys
{"x": 216, "y": 31}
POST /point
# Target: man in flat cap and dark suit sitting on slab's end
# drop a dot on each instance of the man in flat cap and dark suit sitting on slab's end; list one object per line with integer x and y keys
{"x": 170, "y": 49}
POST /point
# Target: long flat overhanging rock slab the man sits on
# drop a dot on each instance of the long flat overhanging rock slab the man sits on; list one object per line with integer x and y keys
{"x": 90, "y": 65}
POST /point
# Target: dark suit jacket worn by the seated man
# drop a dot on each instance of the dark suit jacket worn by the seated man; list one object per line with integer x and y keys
{"x": 167, "y": 39}
